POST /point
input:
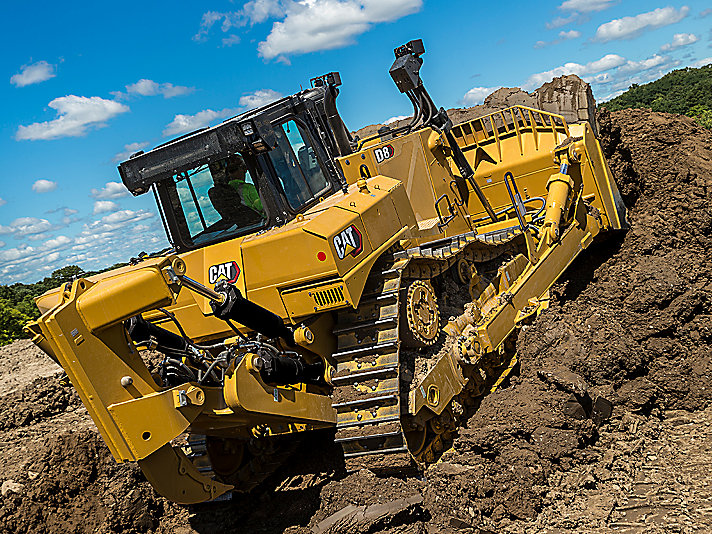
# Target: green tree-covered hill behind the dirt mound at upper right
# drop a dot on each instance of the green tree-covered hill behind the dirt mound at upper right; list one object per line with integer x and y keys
{"x": 686, "y": 91}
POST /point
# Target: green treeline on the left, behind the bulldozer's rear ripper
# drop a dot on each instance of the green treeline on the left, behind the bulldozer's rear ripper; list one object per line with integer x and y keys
{"x": 17, "y": 305}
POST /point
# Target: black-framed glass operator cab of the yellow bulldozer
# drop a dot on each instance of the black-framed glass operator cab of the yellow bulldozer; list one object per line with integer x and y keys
{"x": 250, "y": 173}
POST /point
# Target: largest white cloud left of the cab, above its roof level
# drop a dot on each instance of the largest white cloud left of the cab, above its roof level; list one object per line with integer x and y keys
{"x": 76, "y": 115}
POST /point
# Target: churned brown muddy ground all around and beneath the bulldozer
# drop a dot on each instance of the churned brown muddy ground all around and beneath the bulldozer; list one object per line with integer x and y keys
{"x": 629, "y": 321}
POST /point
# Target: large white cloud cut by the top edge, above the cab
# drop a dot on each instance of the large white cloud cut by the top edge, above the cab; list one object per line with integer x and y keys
{"x": 313, "y": 25}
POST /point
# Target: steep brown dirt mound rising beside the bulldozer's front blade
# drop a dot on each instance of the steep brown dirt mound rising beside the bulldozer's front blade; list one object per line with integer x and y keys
{"x": 633, "y": 314}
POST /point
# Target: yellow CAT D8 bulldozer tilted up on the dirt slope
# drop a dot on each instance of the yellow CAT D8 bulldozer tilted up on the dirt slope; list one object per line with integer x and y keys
{"x": 307, "y": 279}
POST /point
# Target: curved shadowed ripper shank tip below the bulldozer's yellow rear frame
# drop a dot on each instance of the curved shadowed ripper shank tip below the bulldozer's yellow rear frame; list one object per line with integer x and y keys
{"x": 174, "y": 476}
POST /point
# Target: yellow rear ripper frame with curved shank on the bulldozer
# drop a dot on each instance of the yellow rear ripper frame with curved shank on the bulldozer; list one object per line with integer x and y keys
{"x": 137, "y": 418}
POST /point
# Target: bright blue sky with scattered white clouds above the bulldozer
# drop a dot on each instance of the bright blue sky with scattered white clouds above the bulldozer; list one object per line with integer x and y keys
{"x": 83, "y": 86}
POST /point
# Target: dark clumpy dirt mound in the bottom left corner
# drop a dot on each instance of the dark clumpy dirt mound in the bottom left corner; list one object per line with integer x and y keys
{"x": 74, "y": 485}
